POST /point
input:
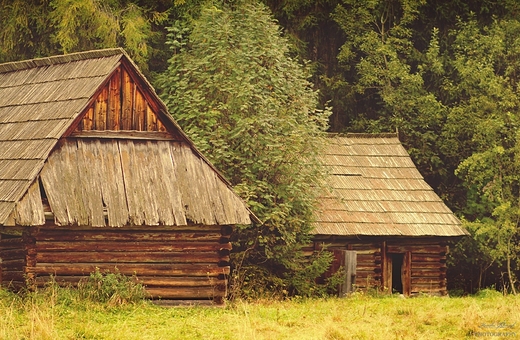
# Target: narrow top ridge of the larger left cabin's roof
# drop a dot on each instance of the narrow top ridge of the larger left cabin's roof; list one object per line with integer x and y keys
{"x": 59, "y": 59}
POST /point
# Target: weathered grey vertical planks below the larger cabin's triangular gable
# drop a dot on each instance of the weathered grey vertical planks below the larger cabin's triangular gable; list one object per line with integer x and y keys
{"x": 136, "y": 182}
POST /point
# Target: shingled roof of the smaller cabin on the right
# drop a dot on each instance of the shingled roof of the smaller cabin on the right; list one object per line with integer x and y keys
{"x": 376, "y": 190}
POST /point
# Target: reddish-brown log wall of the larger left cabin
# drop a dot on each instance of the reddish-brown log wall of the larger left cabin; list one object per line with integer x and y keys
{"x": 190, "y": 263}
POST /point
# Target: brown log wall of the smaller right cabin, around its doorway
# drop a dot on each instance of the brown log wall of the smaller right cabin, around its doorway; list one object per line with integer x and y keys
{"x": 425, "y": 268}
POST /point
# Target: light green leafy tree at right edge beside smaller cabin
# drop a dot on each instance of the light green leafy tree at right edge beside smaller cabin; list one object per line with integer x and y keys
{"x": 484, "y": 81}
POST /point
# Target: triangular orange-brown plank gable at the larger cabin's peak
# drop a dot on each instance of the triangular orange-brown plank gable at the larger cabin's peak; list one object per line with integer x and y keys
{"x": 121, "y": 106}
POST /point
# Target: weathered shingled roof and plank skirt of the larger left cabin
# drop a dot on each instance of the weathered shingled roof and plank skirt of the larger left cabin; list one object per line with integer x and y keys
{"x": 43, "y": 101}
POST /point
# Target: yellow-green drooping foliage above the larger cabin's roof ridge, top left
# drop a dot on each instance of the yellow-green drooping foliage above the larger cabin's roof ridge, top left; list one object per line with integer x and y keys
{"x": 38, "y": 28}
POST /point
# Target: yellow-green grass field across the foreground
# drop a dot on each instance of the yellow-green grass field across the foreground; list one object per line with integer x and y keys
{"x": 61, "y": 314}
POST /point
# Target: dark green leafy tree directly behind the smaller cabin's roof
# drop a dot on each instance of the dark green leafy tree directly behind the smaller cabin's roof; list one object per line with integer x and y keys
{"x": 388, "y": 77}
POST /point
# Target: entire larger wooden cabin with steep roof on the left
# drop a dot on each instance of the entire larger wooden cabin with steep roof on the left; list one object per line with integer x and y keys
{"x": 94, "y": 173}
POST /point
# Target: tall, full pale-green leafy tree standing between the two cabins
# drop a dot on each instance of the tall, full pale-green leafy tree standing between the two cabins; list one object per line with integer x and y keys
{"x": 236, "y": 92}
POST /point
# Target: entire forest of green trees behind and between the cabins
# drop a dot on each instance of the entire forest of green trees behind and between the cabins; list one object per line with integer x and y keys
{"x": 256, "y": 83}
